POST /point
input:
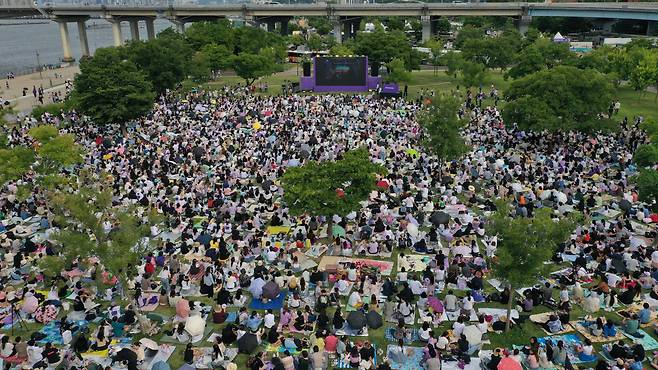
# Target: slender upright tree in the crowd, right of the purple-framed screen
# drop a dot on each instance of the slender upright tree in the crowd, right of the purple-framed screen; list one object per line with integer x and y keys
{"x": 441, "y": 129}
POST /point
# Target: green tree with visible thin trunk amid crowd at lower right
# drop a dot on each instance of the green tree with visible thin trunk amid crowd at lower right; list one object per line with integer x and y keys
{"x": 524, "y": 245}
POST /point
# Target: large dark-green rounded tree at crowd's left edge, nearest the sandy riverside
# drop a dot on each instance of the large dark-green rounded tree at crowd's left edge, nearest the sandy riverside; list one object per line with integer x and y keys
{"x": 110, "y": 89}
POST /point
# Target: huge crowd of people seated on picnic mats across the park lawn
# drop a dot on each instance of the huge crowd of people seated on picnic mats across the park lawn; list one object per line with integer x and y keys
{"x": 234, "y": 271}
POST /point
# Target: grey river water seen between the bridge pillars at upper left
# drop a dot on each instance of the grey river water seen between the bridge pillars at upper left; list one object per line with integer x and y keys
{"x": 20, "y": 42}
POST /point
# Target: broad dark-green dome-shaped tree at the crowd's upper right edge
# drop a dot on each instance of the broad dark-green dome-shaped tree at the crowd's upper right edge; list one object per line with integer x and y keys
{"x": 563, "y": 98}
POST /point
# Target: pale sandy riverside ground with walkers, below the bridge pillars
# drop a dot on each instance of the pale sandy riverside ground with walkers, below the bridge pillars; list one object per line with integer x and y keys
{"x": 51, "y": 80}
